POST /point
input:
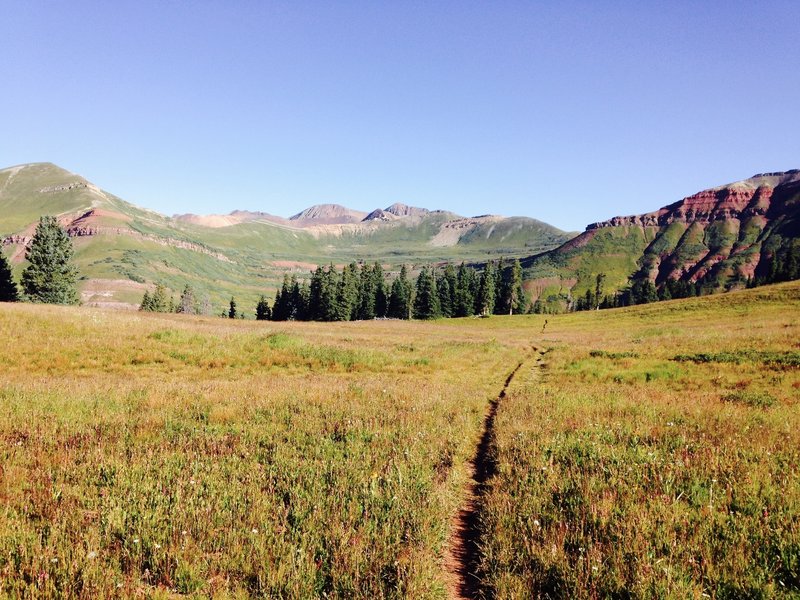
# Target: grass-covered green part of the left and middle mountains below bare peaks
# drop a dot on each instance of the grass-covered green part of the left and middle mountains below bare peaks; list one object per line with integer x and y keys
{"x": 250, "y": 247}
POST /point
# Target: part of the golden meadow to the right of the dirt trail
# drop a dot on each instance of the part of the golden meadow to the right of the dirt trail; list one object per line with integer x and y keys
{"x": 626, "y": 473}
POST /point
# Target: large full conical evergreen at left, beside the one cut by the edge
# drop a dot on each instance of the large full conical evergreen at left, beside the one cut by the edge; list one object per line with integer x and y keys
{"x": 51, "y": 277}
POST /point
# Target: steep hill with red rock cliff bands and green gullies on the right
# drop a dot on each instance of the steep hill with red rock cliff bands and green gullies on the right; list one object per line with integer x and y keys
{"x": 716, "y": 240}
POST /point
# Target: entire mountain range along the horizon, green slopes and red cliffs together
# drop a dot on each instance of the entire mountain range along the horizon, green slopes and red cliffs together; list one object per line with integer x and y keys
{"x": 718, "y": 237}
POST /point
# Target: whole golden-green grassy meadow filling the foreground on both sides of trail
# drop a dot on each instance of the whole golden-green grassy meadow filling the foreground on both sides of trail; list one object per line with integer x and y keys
{"x": 650, "y": 452}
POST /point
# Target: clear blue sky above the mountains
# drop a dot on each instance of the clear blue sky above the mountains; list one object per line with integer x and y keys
{"x": 569, "y": 112}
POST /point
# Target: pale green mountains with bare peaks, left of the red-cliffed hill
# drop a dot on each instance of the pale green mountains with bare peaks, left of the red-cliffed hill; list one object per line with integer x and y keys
{"x": 122, "y": 250}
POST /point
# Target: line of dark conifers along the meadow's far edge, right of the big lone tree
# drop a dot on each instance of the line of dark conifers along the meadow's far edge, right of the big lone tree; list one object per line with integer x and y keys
{"x": 364, "y": 291}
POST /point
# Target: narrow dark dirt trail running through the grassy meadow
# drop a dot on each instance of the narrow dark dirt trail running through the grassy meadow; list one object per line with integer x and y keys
{"x": 463, "y": 555}
